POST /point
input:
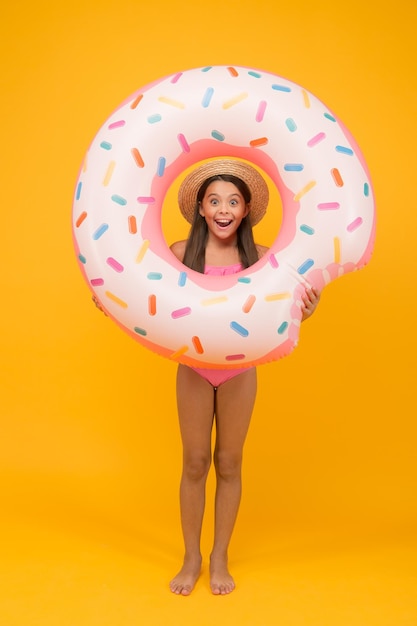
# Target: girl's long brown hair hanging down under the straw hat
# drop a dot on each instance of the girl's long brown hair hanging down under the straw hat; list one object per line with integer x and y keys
{"x": 195, "y": 250}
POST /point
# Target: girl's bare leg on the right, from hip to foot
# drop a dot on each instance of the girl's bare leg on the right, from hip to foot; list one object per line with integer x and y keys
{"x": 234, "y": 405}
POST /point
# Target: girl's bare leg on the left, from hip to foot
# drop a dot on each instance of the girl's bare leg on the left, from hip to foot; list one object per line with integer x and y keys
{"x": 195, "y": 398}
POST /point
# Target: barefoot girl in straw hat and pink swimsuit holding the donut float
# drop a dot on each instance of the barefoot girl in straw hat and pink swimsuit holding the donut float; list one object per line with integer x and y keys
{"x": 222, "y": 199}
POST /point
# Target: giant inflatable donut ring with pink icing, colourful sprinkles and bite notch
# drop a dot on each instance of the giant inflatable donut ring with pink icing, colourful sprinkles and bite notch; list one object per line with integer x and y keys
{"x": 327, "y": 229}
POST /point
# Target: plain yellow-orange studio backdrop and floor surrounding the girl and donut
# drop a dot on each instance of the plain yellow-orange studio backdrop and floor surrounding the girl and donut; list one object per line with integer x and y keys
{"x": 89, "y": 447}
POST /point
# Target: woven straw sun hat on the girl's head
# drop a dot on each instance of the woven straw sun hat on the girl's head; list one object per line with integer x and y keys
{"x": 187, "y": 194}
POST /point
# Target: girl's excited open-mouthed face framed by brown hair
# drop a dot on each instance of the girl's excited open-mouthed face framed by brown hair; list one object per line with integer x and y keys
{"x": 223, "y": 208}
